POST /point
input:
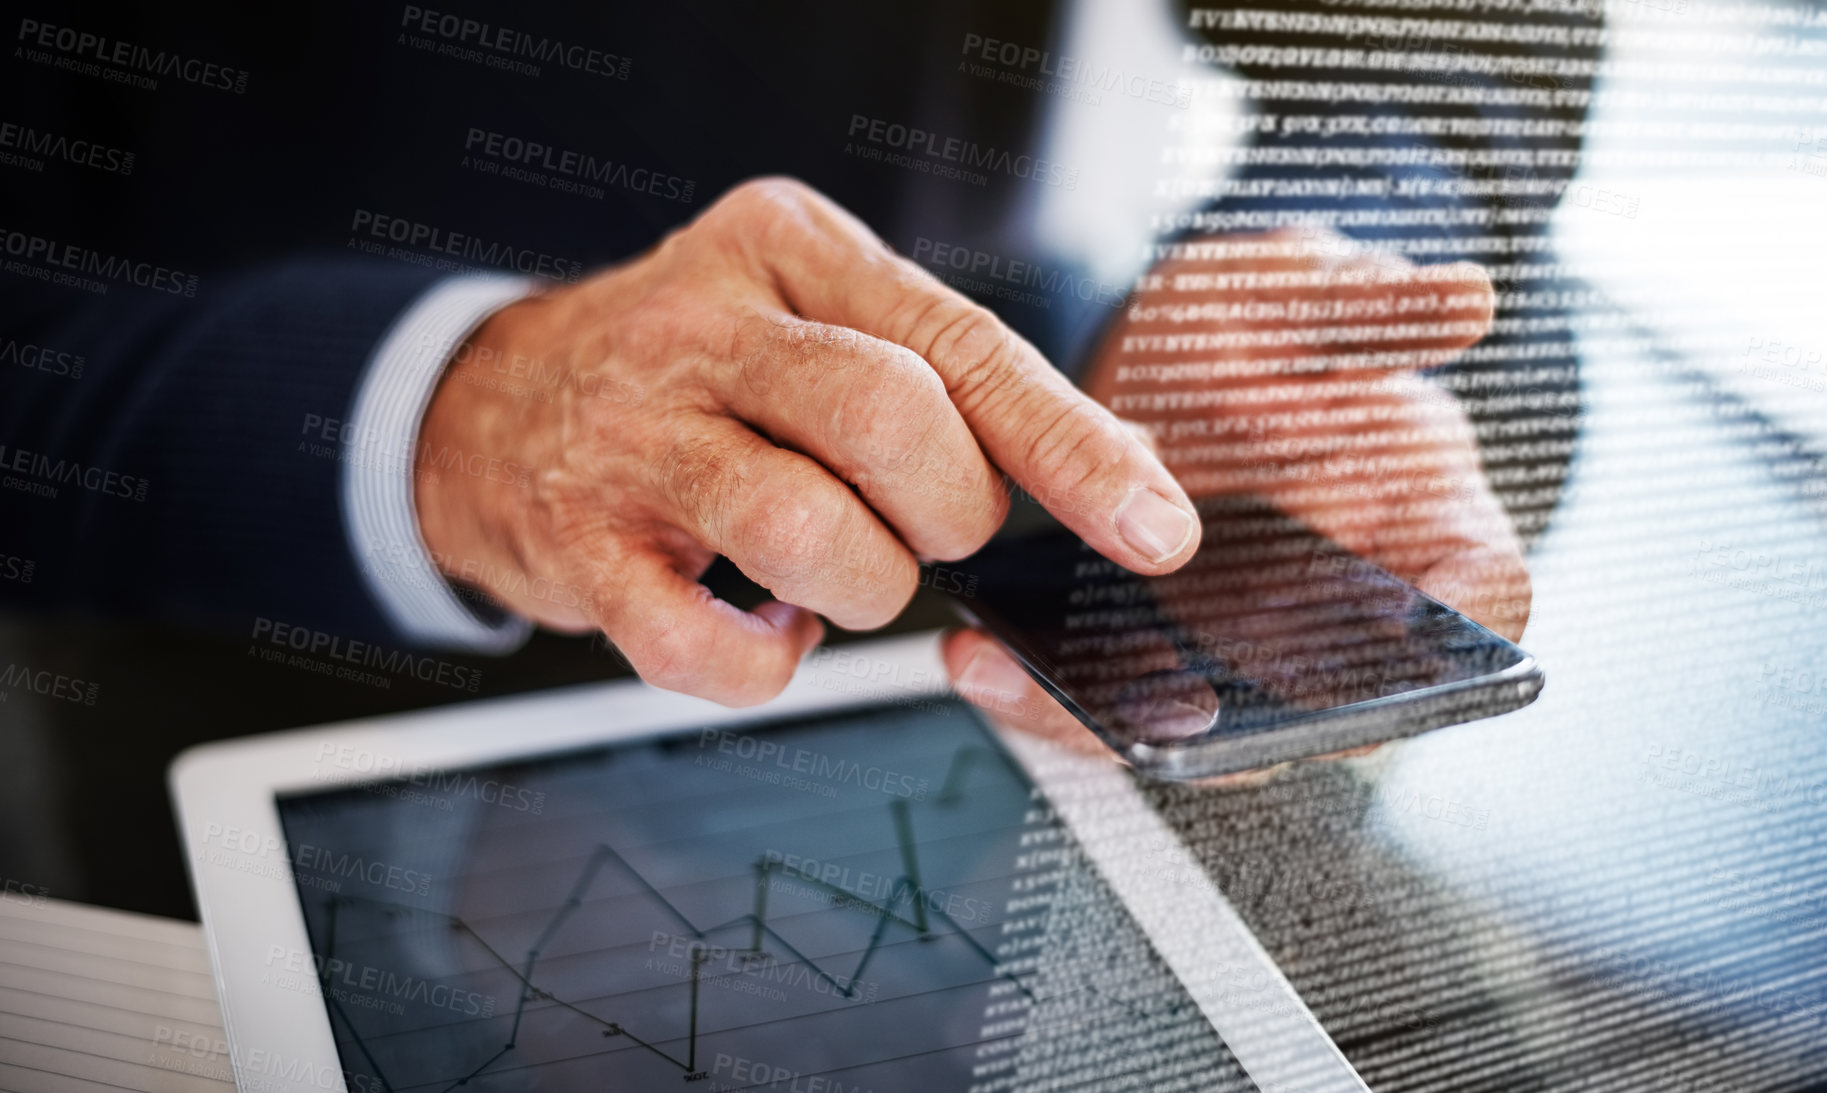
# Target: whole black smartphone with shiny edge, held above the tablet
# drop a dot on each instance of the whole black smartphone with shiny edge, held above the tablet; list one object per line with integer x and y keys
{"x": 1271, "y": 644}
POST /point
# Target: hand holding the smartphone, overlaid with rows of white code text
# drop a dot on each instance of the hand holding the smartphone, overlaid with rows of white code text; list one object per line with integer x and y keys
{"x": 1302, "y": 390}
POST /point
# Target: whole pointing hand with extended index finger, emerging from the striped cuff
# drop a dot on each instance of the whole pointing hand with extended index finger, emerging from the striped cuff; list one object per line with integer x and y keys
{"x": 770, "y": 385}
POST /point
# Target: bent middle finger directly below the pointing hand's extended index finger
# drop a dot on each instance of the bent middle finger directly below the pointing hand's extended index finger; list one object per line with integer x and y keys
{"x": 878, "y": 418}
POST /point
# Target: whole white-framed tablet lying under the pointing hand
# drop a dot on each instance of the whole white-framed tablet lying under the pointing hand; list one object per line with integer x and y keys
{"x": 858, "y": 887}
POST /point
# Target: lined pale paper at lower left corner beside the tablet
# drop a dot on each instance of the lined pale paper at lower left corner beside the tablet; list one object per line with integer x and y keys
{"x": 96, "y": 1001}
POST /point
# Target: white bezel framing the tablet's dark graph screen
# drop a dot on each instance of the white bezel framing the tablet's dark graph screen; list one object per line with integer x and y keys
{"x": 280, "y": 1041}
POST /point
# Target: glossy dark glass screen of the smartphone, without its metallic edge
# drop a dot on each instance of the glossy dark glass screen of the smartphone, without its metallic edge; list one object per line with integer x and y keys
{"x": 1269, "y": 622}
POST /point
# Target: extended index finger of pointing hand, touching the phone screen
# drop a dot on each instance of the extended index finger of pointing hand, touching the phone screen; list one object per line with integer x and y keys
{"x": 1072, "y": 454}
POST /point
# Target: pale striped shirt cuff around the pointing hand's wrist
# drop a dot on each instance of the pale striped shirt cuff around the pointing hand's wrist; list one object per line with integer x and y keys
{"x": 379, "y": 456}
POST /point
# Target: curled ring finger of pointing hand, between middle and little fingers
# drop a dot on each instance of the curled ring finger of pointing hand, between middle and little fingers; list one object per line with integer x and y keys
{"x": 787, "y": 524}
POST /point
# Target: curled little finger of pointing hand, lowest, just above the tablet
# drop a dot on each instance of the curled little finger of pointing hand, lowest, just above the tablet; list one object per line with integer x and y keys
{"x": 681, "y": 637}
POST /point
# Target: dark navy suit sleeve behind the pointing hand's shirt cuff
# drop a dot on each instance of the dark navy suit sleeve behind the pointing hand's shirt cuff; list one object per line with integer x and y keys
{"x": 193, "y": 469}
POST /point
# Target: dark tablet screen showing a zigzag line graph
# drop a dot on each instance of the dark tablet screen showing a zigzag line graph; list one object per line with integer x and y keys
{"x": 861, "y": 902}
